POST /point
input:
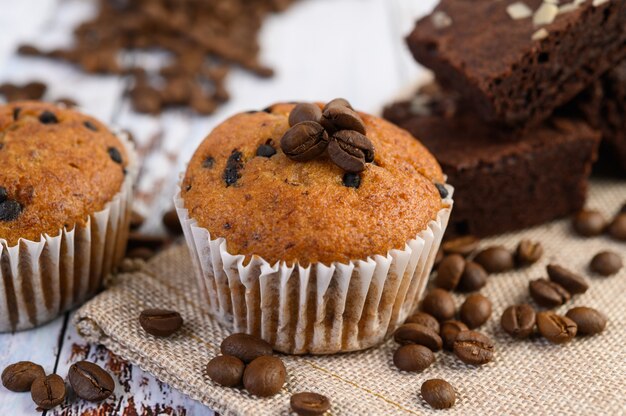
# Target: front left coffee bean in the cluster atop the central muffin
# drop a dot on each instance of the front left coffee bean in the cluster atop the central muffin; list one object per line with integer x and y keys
{"x": 304, "y": 141}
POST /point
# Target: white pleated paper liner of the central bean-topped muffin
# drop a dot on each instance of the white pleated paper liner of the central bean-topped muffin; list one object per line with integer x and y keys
{"x": 317, "y": 309}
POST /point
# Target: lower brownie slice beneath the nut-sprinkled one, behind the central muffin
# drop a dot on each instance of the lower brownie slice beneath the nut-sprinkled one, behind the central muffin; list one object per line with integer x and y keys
{"x": 502, "y": 182}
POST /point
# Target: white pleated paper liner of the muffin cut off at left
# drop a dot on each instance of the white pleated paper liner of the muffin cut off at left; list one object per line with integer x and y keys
{"x": 39, "y": 280}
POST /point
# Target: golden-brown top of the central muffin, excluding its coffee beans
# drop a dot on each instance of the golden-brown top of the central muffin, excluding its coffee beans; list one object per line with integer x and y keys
{"x": 283, "y": 210}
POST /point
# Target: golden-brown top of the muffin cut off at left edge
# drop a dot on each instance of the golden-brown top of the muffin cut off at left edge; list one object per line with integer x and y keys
{"x": 58, "y": 167}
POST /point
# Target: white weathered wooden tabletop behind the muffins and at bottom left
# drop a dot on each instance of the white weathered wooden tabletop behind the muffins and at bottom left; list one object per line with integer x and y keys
{"x": 321, "y": 49}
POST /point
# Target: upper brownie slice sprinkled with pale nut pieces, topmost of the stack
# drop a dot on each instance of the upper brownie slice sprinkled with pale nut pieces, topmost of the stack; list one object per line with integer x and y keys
{"x": 516, "y": 61}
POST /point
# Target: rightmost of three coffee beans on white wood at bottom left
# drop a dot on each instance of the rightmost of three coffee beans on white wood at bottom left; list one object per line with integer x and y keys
{"x": 90, "y": 381}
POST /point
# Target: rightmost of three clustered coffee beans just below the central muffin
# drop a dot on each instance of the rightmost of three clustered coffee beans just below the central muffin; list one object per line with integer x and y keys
{"x": 265, "y": 376}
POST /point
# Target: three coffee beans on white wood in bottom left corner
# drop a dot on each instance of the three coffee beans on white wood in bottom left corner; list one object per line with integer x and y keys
{"x": 88, "y": 380}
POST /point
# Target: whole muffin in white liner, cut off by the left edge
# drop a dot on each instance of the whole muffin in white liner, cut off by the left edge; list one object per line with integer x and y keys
{"x": 64, "y": 195}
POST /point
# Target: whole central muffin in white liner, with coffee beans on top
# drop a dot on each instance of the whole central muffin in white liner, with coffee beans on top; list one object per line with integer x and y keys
{"x": 313, "y": 226}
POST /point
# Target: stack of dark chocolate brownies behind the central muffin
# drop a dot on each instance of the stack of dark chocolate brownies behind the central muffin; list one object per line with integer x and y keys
{"x": 524, "y": 93}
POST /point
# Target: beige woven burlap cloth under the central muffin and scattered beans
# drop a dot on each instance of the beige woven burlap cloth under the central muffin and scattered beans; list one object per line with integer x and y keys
{"x": 532, "y": 377}
